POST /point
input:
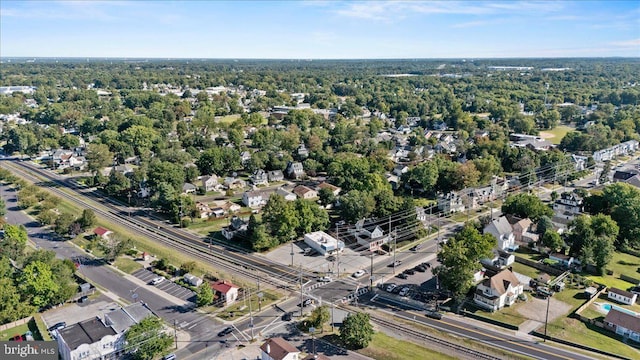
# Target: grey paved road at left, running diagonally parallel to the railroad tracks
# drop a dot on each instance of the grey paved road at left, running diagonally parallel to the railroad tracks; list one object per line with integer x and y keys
{"x": 198, "y": 327}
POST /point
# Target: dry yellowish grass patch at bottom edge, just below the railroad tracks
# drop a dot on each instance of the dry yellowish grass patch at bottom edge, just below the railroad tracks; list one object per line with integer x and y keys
{"x": 385, "y": 347}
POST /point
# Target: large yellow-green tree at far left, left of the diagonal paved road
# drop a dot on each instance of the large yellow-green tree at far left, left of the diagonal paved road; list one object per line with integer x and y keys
{"x": 38, "y": 284}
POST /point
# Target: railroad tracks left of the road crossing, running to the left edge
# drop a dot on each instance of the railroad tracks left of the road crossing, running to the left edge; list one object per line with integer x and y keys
{"x": 275, "y": 274}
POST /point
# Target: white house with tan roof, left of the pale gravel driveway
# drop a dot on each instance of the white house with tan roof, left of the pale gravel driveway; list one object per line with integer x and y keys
{"x": 499, "y": 290}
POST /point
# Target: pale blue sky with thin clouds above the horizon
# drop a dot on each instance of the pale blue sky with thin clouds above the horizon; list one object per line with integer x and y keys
{"x": 319, "y": 29}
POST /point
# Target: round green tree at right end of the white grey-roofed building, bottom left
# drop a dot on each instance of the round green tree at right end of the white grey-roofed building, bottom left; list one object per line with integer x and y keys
{"x": 146, "y": 339}
